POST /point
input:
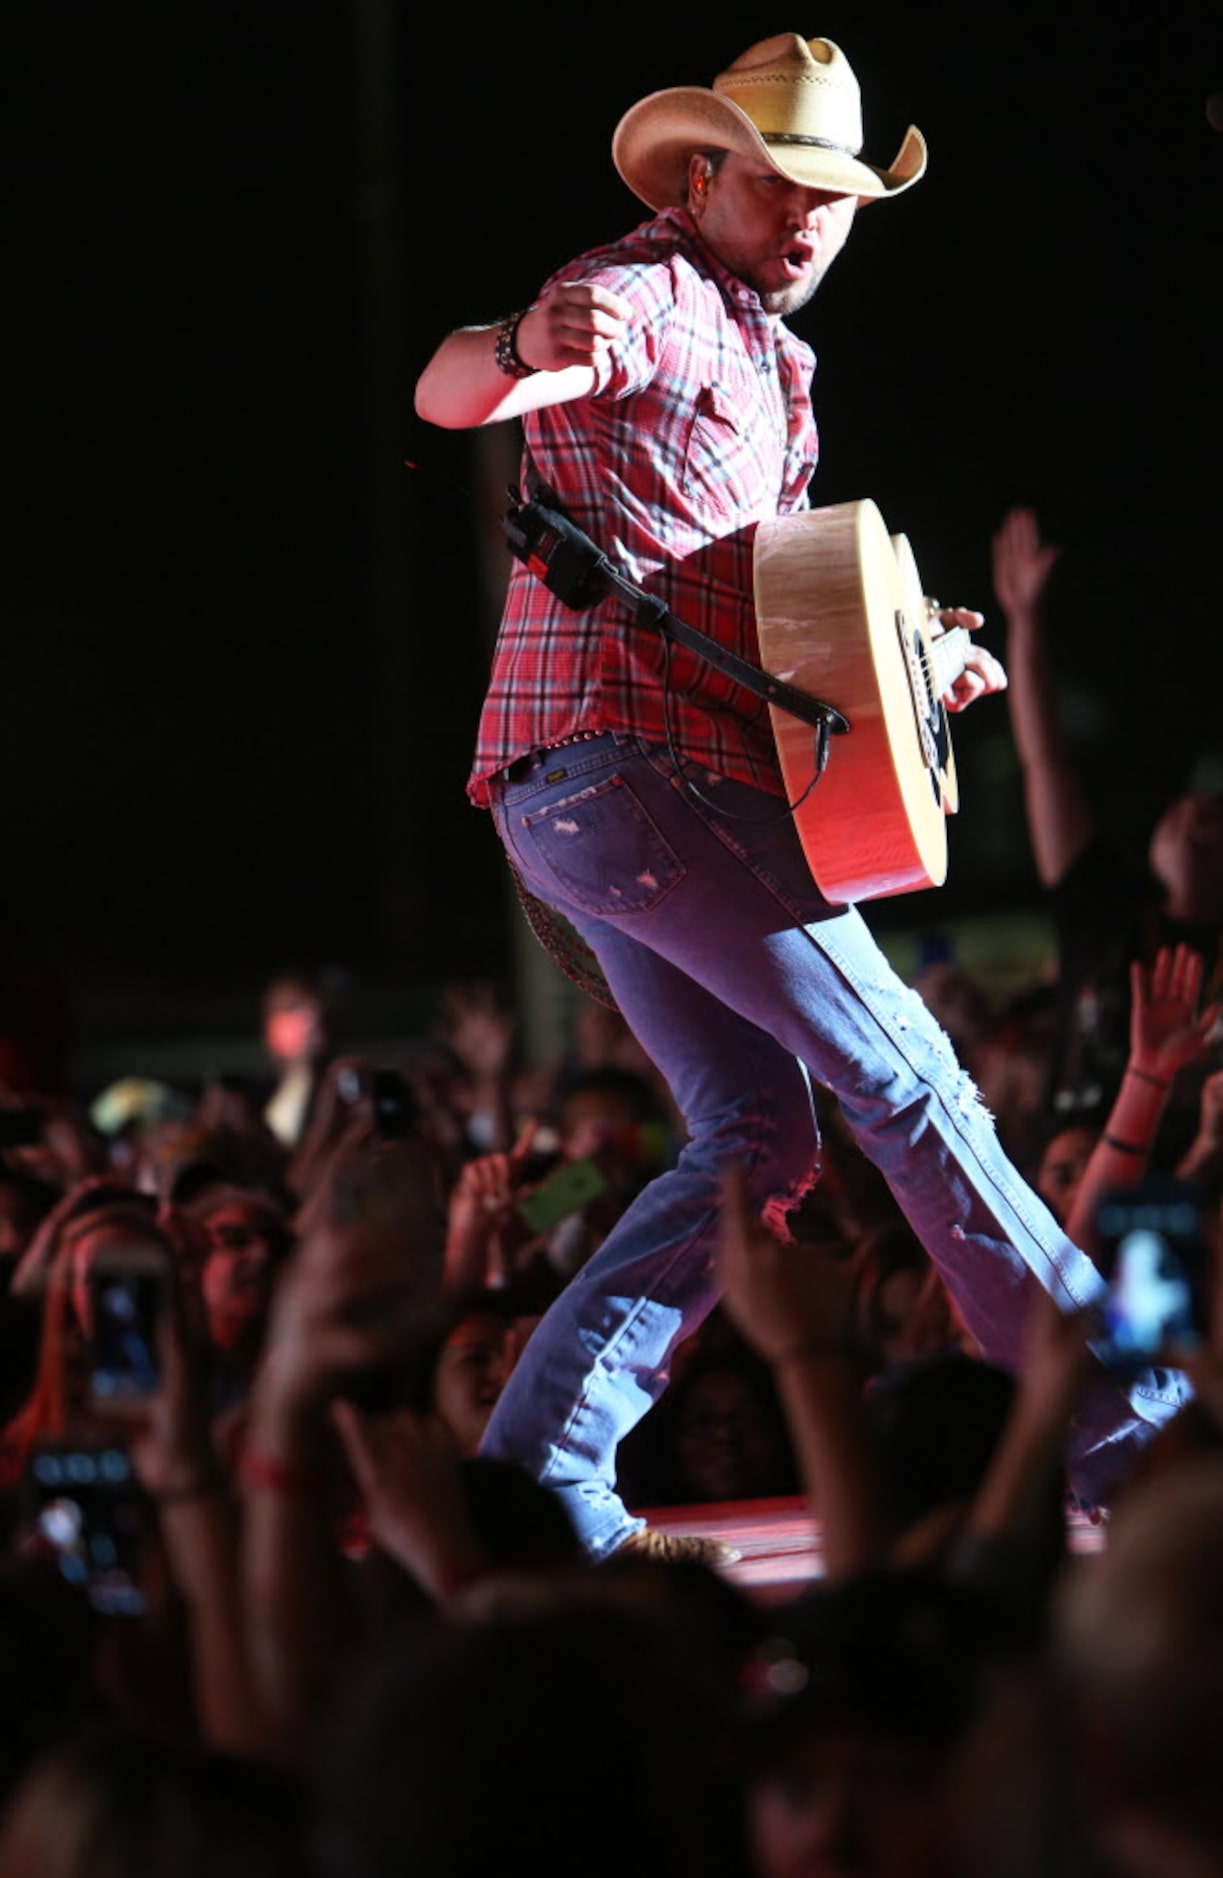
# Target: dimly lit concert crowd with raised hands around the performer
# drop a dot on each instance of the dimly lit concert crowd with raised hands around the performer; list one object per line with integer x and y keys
{"x": 271, "y": 1610}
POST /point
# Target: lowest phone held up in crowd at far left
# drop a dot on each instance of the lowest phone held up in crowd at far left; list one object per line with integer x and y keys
{"x": 91, "y": 1516}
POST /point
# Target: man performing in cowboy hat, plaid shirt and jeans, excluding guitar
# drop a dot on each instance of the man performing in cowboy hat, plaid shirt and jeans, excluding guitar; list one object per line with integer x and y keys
{"x": 638, "y": 790}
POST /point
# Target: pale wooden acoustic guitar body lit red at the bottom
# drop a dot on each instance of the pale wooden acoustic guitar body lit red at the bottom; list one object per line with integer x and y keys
{"x": 841, "y": 615}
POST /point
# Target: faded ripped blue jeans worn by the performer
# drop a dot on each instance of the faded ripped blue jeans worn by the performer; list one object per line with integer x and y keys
{"x": 741, "y": 981}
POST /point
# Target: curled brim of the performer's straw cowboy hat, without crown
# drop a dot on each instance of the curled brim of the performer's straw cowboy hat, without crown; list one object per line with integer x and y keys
{"x": 657, "y": 138}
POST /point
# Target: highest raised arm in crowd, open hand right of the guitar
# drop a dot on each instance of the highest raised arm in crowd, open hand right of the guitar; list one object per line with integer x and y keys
{"x": 1059, "y": 816}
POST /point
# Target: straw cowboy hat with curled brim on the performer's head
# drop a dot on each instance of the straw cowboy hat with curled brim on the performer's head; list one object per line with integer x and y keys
{"x": 790, "y": 102}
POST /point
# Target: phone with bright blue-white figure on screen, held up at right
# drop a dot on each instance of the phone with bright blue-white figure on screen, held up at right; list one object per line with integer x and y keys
{"x": 1156, "y": 1267}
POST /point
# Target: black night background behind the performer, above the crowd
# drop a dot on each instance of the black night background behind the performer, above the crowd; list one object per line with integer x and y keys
{"x": 243, "y": 645}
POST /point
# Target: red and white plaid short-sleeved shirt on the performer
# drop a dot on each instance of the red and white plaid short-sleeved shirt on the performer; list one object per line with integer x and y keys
{"x": 700, "y": 425}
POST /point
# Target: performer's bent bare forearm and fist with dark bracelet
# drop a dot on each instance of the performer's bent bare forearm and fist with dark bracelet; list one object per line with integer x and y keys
{"x": 561, "y": 341}
